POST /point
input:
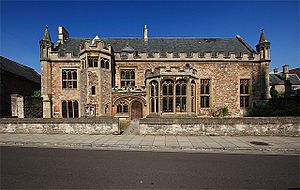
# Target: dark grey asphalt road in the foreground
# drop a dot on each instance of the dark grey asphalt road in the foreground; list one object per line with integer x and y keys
{"x": 61, "y": 168}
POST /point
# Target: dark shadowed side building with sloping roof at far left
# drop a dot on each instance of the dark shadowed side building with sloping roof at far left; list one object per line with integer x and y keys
{"x": 16, "y": 78}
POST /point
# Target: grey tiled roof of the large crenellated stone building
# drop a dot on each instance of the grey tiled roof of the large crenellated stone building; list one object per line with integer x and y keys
{"x": 165, "y": 45}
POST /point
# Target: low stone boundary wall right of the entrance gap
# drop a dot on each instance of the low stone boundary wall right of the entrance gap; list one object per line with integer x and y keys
{"x": 257, "y": 126}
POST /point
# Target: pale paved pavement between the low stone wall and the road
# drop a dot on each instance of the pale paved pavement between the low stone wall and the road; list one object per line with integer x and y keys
{"x": 192, "y": 144}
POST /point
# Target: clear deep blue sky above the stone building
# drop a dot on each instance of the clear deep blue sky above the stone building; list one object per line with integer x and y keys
{"x": 23, "y": 23}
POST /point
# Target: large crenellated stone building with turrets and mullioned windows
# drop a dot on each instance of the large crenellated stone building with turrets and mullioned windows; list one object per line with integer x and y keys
{"x": 132, "y": 78}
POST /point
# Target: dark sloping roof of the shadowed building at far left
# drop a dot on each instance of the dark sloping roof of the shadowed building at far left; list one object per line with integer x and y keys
{"x": 20, "y": 70}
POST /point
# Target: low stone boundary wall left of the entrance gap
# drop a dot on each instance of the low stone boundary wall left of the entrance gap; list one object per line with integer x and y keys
{"x": 93, "y": 126}
